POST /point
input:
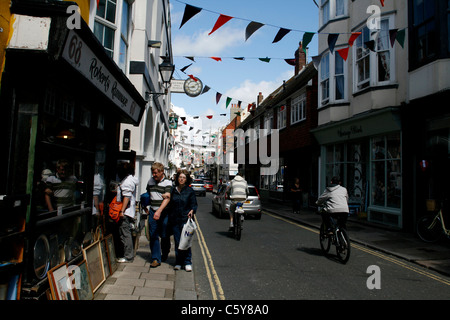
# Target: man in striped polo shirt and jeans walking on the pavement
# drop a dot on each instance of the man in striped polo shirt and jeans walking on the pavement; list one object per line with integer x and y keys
{"x": 158, "y": 188}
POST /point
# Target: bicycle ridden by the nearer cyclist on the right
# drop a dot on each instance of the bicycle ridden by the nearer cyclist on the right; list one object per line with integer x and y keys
{"x": 338, "y": 237}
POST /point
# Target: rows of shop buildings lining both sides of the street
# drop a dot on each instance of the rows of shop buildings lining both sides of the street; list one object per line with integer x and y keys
{"x": 86, "y": 86}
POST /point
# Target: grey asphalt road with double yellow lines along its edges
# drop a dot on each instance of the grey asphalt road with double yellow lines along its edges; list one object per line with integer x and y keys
{"x": 277, "y": 259}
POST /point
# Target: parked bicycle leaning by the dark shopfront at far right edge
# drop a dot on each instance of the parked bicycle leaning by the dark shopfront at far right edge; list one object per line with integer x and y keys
{"x": 430, "y": 227}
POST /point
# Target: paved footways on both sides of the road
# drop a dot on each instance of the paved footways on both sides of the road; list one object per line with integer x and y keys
{"x": 137, "y": 281}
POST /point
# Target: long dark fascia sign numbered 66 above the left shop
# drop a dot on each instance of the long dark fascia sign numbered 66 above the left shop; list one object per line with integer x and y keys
{"x": 83, "y": 59}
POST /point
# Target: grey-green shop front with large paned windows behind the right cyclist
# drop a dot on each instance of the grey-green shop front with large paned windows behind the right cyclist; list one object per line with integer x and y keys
{"x": 366, "y": 152}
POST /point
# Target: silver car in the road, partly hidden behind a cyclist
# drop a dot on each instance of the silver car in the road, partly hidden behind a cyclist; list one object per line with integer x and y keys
{"x": 221, "y": 202}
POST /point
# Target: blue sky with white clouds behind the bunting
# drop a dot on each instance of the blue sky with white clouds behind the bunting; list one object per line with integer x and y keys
{"x": 240, "y": 80}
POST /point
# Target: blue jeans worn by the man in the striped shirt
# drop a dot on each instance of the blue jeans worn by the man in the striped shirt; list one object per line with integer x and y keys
{"x": 158, "y": 229}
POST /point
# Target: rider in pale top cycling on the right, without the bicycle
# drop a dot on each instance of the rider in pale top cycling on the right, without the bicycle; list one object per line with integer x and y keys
{"x": 334, "y": 201}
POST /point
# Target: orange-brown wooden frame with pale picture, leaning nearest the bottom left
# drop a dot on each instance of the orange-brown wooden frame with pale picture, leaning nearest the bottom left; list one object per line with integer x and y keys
{"x": 58, "y": 278}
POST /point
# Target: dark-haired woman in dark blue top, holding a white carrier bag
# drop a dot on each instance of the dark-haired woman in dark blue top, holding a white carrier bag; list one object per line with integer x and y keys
{"x": 183, "y": 205}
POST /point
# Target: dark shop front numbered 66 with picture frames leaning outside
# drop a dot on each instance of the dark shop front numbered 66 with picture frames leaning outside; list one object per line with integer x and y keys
{"x": 62, "y": 100}
